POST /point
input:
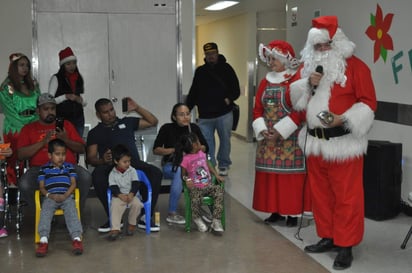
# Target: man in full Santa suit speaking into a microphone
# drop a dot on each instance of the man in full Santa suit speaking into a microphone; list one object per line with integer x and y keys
{"x": 336, "y": 91}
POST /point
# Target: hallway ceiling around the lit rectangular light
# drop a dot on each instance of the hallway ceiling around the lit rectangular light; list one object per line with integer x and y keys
{"x": 204, "y": 17}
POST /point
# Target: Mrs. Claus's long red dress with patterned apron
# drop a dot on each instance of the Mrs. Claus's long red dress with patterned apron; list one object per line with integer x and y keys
{"x": 280, "y": 179}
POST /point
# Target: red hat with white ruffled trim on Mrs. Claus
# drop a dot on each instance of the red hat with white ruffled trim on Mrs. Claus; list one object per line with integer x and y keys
{"x": 280, "y": 50}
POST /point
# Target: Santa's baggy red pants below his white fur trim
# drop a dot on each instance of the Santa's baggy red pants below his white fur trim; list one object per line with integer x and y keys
{"x": 337, "y": 199}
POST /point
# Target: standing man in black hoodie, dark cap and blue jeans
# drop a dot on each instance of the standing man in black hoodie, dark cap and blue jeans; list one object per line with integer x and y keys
{"x": 214, "y": 88}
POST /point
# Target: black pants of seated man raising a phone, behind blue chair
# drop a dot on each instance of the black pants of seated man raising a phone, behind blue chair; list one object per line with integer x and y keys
{"x": 100, "y": 177}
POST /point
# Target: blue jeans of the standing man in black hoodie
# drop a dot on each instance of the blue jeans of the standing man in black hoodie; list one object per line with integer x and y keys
{"x": 223, "y": 126}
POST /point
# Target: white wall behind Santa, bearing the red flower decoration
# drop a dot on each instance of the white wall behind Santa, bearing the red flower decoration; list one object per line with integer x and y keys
{"x": 354, "y": 19}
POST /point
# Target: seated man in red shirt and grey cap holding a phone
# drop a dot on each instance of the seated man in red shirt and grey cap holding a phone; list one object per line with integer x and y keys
{"x": 33, "y": 142}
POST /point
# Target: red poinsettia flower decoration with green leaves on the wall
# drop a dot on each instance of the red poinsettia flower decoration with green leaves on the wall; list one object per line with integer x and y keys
{"x": 378, "y": 32}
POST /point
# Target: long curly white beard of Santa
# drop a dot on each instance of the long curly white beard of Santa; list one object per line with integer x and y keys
{"x": 333, "y": 63}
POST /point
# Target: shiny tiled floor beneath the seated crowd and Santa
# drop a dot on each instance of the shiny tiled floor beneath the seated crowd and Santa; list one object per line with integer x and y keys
{"x": 247, "y": 246}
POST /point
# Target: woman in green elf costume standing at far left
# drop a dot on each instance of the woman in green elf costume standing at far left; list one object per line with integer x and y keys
{"x": 18, "y": 100}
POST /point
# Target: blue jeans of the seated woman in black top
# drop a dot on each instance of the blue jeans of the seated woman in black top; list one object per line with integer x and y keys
{"x": 175, "y": 187}
